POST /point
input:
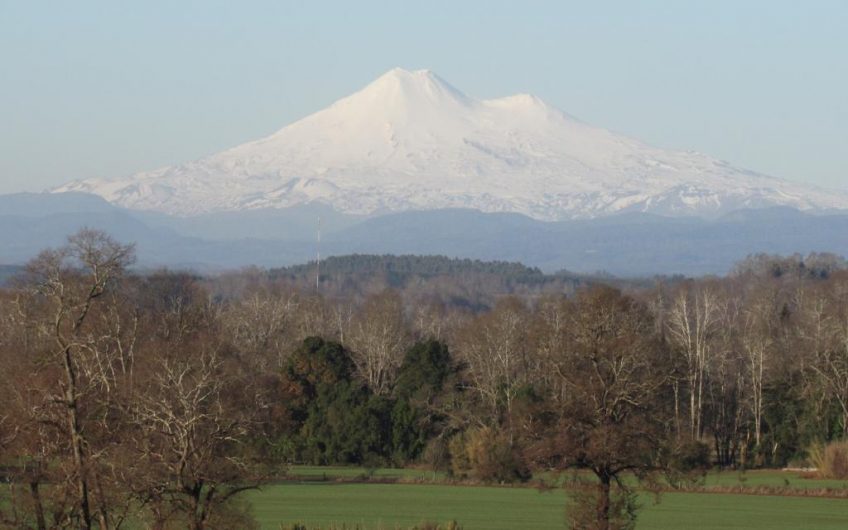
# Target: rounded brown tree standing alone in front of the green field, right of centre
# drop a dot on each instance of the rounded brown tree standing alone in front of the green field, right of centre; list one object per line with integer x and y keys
{"x": 614, "y": 418}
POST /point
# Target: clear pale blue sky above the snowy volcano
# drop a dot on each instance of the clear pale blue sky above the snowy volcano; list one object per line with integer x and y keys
{"x": 102, "y": 89}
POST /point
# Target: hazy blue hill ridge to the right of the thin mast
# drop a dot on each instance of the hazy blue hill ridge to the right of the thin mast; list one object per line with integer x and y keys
{"x": 624, "y": 245}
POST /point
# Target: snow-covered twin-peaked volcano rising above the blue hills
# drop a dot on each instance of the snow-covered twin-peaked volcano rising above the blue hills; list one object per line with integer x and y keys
{"x": 411, "y": 141}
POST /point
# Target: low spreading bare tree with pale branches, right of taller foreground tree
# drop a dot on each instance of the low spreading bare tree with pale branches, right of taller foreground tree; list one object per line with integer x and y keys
{"x": 192, "y": 422}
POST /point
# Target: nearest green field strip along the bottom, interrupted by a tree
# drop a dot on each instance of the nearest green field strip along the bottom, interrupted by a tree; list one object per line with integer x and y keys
{"x": 492, "y": 508}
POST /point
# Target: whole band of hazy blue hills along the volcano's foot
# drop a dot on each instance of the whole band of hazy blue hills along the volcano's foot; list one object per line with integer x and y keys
{"x": 626, "y": 245}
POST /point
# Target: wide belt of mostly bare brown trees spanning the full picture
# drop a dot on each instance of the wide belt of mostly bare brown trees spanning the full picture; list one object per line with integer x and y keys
{"x": 156, "y": 399}
